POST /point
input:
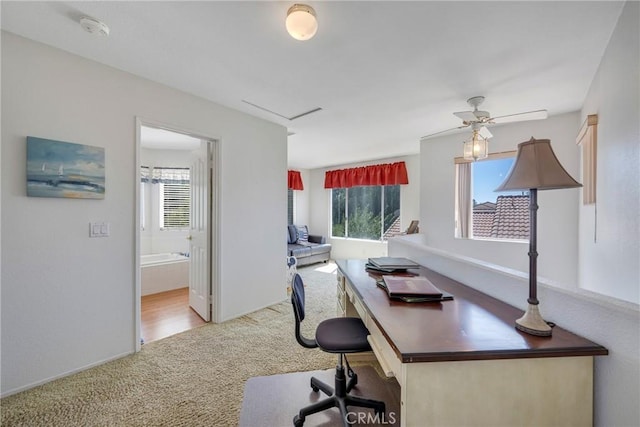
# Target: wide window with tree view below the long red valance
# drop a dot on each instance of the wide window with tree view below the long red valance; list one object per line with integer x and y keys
{"x": 365, "y": 212}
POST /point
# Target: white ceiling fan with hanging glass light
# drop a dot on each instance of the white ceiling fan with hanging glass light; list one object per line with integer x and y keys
{"x": 478, "y": 119}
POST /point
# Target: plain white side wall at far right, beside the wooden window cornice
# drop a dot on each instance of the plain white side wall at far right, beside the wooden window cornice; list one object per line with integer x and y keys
{"x": 609, "y": 245}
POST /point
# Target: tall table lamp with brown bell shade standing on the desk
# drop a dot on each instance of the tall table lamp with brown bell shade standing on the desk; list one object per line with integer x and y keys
{"x": 536, "y": 168}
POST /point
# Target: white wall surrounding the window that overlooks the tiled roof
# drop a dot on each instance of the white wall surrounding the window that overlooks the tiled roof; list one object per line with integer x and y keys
{"x": 557, "y": 214}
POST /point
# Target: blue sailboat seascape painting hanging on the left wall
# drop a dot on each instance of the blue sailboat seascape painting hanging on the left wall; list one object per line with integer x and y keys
{"x": 64, "y": 169}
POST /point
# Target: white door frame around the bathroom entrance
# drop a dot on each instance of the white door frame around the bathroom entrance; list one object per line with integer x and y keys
{"x": 213, "y": 229}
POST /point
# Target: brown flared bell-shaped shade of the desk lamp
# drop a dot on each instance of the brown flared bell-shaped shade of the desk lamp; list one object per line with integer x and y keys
{"x": 537, "y": 167}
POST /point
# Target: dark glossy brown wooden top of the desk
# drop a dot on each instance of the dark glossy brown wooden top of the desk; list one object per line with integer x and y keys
{"x": 473, "y": 326}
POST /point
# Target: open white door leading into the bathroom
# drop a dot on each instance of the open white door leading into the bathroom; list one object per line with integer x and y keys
{"x": 199, "y": 246}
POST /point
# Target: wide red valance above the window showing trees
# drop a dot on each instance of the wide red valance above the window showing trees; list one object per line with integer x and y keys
{"x": 385, "y": 174}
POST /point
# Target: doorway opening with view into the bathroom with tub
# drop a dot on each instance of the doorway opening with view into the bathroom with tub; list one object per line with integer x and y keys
{"x": 176, "y": 218}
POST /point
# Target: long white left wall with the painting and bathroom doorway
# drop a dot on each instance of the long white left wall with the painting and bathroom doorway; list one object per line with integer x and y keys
{"x": 68, "y": 301}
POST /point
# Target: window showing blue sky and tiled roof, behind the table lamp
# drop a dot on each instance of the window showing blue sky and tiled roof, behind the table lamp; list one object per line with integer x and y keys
{"x": 483, "y": 213}
